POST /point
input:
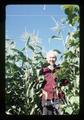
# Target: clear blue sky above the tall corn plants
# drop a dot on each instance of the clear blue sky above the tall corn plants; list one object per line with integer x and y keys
{"x": 38, "y": 19}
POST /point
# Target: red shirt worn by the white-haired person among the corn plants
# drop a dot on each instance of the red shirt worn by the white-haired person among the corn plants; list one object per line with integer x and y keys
{"x": 50, "y": 83}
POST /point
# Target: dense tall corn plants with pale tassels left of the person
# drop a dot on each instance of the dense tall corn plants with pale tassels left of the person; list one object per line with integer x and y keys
{"x": 21, "y": 88}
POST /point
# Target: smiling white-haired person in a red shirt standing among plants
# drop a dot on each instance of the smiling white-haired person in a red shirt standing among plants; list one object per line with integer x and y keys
{"x": 49, "y": 96}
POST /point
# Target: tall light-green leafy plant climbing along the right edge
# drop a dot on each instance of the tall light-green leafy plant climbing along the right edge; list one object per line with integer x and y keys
{"x": 70, "y": 64}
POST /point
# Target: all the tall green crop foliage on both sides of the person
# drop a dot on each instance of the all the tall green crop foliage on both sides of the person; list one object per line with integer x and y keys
{"x": 22, "y": 81}
